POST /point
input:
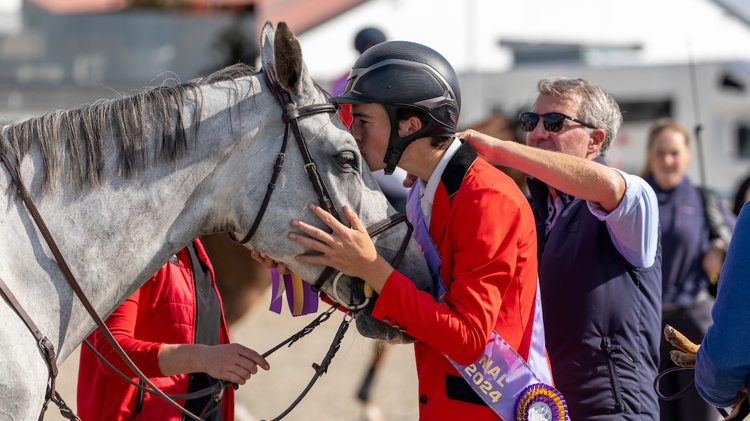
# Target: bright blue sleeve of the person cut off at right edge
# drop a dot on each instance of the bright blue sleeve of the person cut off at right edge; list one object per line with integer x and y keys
{"x": 723, "y": 361}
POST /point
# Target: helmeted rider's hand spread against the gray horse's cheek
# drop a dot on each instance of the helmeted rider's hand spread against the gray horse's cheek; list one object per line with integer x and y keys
{"x": 348, "y": 250}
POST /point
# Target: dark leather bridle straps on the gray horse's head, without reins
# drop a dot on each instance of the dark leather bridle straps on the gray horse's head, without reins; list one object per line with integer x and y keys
{"x": 291, "y": 117}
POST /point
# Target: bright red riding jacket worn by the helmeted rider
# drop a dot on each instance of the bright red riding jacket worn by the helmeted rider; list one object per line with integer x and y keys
{"x": 486, "y": 237}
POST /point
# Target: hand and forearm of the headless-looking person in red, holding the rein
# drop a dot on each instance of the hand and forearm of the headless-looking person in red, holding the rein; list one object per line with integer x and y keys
{"x": 230, "y": 362}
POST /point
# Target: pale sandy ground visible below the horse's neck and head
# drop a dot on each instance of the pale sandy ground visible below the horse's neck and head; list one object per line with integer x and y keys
{"x": 334, "y": 396}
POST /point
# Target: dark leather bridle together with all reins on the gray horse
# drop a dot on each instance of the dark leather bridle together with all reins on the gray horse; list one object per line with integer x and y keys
{"x": 290, "y": 117}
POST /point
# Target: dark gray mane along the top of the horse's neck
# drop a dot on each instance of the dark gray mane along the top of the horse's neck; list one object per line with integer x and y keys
{"x": 72, "y": 142}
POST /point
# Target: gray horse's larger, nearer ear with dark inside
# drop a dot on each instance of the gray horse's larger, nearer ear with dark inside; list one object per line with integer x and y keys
{"x": 290, "y": 69}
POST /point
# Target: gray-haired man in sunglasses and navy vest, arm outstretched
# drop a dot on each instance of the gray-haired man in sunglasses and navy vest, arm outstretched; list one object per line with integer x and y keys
{"x": 598, "y": 249}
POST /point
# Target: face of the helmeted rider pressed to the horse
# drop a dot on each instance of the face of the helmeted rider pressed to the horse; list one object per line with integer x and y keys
{"x": 371, "y": 129}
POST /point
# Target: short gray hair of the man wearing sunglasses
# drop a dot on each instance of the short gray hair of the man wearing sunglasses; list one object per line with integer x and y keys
{"x": 597, "y": 107}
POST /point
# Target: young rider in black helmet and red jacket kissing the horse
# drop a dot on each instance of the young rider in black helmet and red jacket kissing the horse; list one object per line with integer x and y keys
{"x": 480, "y": 353}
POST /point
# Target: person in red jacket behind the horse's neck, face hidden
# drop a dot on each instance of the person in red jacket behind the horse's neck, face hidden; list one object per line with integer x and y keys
{"x": 173, "y": 329}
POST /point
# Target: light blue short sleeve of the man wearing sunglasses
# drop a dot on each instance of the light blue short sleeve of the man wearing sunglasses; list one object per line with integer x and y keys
{"x": 634, "y": 224}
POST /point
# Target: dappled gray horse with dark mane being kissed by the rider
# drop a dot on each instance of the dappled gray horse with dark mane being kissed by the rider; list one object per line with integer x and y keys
{"x": 124, "y": 184}
